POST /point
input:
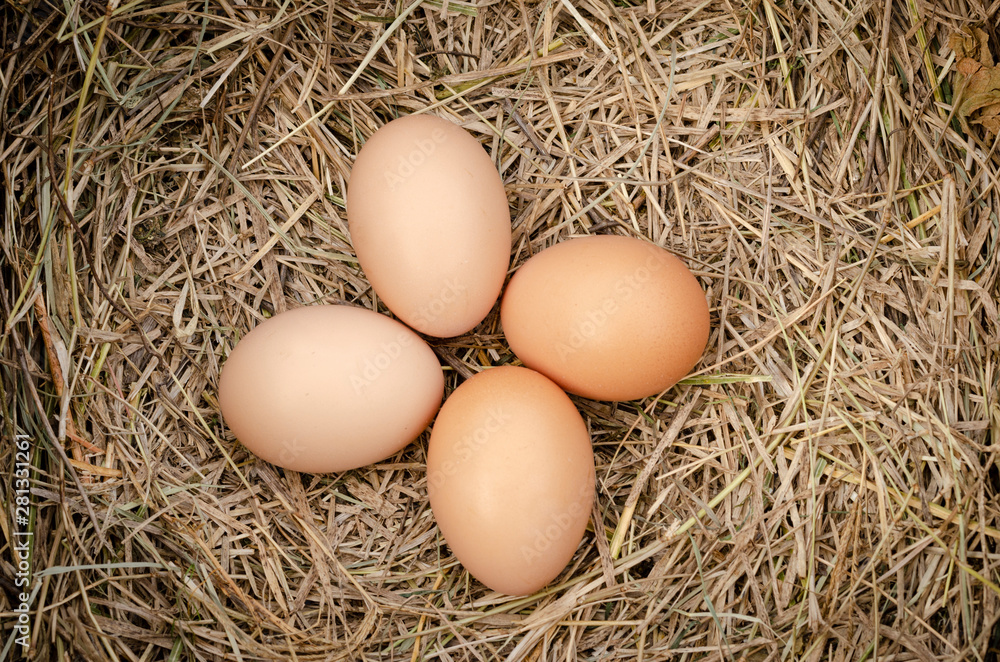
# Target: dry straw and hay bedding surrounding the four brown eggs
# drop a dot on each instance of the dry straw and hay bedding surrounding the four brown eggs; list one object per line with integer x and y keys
{"x": 822, "y": 487}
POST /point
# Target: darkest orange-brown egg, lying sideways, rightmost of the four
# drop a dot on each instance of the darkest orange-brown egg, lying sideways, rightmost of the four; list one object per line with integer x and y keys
{"x": 606, "y": 317}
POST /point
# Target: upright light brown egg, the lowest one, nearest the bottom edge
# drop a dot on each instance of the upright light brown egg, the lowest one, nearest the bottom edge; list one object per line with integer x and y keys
{"x": 510, "y": 476}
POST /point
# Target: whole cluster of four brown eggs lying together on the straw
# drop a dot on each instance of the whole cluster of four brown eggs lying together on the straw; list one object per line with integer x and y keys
{"x": 510, "y": 467}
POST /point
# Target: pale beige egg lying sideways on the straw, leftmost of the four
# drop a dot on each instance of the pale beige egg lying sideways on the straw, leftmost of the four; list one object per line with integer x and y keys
{"x": 329, "y": 388}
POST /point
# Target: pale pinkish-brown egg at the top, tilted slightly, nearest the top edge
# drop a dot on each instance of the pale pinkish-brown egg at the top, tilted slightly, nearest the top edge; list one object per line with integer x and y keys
{"x": 430, "y": 224}
